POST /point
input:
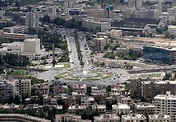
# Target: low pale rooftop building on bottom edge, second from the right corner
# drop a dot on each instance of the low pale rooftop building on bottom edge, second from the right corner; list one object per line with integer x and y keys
{"x": 133, "y": 118}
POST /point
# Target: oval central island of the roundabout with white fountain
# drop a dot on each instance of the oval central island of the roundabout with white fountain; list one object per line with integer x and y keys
{"x": 83, "y": 75}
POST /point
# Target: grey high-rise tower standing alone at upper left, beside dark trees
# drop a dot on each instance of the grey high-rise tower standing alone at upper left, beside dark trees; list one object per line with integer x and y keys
{"x": 32, "y": 20}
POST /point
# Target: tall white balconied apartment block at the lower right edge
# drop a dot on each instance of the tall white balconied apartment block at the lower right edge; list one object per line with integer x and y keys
{"x": 166, "y": 104}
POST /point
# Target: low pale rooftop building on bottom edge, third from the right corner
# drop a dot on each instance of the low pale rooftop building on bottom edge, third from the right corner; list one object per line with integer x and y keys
{"x": 107, "y": 118}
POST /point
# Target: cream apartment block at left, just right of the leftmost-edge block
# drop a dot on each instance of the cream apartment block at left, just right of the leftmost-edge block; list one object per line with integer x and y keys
{"x": 23, "y": 87}
